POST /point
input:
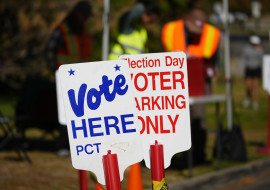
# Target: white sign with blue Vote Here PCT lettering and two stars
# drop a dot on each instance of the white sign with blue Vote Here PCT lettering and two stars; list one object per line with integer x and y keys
{"x": 100, "y": 115}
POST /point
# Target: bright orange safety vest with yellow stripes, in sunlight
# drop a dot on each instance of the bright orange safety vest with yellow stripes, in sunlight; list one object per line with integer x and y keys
{"x": 173, "y": 39}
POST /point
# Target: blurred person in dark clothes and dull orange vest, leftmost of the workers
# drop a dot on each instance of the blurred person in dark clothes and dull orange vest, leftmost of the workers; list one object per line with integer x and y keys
{"x": 69, "y": 43}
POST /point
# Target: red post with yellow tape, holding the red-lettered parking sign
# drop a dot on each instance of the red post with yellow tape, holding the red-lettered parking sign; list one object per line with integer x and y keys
{"x": 157, "y": 167}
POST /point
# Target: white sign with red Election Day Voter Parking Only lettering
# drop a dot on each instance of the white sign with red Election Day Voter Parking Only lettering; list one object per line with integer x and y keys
{"x": 162, "y": 101}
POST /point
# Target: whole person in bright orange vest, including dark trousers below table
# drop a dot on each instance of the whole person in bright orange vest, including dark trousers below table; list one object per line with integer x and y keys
{"x": 200, "y": 41}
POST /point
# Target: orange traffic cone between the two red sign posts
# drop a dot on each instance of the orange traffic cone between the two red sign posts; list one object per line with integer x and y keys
{"x": 135, "y": 178}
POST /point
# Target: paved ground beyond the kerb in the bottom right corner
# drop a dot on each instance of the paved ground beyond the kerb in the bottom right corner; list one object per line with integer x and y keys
{"x": 252, "y": 176}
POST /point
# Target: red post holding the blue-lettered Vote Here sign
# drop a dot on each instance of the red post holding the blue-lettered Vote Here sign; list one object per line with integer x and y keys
{"x": 111, "y": 171}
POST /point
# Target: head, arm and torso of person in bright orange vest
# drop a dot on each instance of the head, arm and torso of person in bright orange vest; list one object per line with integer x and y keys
{"x": 196, "y": 38}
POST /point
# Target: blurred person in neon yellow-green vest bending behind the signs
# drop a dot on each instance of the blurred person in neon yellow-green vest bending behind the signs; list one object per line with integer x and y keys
{"x": 132, "y": 37}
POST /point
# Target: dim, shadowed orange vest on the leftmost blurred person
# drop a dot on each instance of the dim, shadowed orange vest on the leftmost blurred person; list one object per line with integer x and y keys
{"x": 75, "y": 48}
